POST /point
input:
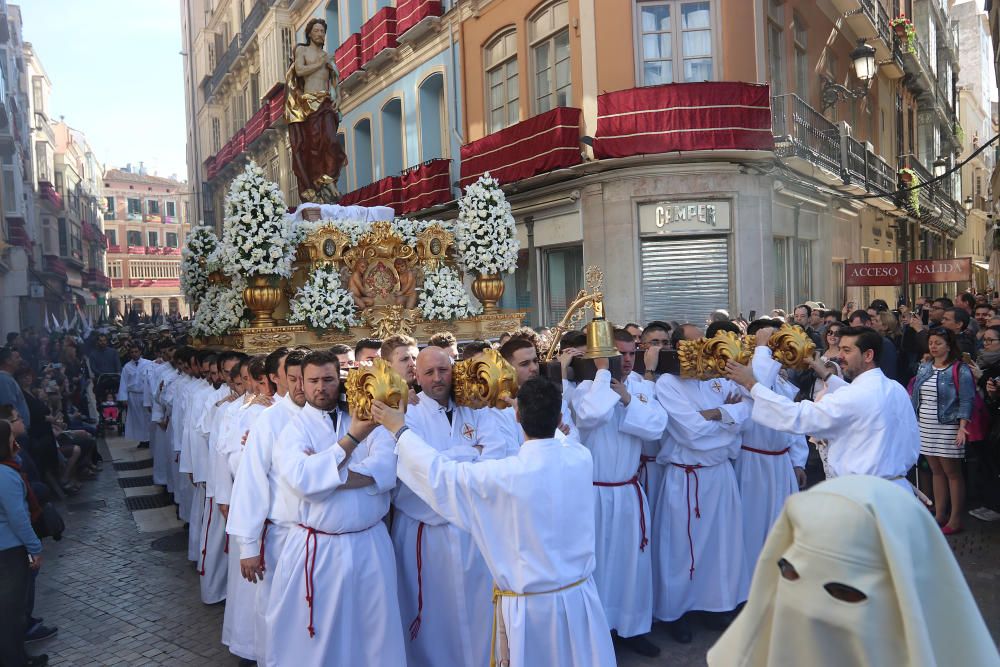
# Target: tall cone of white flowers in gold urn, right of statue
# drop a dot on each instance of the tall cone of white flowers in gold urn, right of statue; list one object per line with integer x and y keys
{"x": 487, "y": 239}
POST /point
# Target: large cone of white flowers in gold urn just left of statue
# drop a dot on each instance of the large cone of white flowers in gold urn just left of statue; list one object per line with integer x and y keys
{"x": 257, "y": 238}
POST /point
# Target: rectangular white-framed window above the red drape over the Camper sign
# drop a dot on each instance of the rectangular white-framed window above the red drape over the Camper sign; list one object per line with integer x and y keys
{"x": 676, "y": 41}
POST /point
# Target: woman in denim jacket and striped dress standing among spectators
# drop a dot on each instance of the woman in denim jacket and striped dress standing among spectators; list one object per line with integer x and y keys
{"x": 942, "y": 397}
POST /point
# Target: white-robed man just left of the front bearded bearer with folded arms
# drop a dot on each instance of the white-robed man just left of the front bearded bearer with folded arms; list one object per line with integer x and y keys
{"x": 263, "y": 507}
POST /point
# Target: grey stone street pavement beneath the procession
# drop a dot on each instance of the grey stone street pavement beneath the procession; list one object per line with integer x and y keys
{"x": 124, "y": 597}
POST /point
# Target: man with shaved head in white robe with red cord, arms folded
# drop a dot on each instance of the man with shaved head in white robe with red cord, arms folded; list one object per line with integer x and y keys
{"x": 444, "y": 585}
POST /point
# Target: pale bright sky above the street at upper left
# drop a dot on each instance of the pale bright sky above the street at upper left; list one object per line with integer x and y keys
{"x": 117, "y": 76}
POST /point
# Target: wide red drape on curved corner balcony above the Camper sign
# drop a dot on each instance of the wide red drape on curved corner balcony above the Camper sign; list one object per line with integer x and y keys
{"x": 683, "y": 117}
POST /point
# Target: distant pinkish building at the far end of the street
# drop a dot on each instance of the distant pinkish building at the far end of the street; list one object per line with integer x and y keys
{"x": 145, "y": 222}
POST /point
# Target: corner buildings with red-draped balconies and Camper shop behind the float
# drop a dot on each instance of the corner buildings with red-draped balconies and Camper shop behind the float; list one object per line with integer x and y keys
{"x": 724, "y": 151}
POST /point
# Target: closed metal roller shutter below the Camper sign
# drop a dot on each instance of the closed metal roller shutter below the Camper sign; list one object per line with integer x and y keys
{"x": 684, "y": 279}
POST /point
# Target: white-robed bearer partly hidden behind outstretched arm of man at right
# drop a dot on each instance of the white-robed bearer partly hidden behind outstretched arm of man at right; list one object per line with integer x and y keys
{"x": 771, "y": 464}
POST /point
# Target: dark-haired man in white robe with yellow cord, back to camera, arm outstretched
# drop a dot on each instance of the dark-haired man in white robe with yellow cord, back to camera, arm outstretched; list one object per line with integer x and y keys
{"x": 539, "y": 547}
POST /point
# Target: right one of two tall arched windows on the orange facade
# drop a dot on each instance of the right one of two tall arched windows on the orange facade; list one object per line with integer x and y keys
{"x": 549, "y": 33}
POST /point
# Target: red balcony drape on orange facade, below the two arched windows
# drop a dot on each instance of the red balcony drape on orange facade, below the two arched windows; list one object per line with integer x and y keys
{"x": 548, "y": 141}
